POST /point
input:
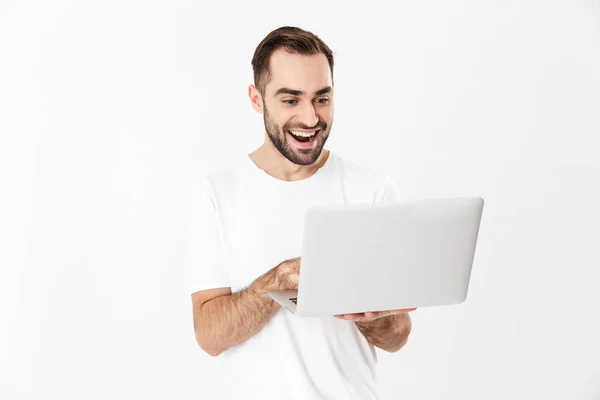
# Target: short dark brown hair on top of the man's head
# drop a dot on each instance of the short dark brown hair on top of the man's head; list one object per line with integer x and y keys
{"x": 294, "y": 40}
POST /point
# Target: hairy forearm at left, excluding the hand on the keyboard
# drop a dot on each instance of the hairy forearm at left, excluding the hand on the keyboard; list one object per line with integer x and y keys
{"x": 229, "y": 320}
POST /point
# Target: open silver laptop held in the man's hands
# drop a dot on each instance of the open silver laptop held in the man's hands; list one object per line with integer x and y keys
{"x": 386, "y": 256}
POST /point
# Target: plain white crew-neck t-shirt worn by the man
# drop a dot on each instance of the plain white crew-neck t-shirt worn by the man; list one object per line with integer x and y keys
{"x": 244, "y": 222}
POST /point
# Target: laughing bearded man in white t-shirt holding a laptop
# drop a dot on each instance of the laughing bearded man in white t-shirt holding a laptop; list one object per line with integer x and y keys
{"x": 246, "y": 232}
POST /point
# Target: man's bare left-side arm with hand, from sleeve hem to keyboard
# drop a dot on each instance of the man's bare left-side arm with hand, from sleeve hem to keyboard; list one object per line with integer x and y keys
{"x": 223, "y": 320}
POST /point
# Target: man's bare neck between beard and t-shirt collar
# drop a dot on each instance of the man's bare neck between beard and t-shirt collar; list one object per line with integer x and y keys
{"x": 270, "y": 160}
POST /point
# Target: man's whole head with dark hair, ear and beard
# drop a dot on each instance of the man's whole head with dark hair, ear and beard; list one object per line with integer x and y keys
{"x": 293, "y": 89}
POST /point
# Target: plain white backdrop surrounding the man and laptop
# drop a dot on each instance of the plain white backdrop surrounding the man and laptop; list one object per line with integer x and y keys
{"x": 110, "y": 110}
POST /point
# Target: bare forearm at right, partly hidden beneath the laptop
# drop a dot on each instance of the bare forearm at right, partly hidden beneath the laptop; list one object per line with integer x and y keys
{"x": 387, "y": 333}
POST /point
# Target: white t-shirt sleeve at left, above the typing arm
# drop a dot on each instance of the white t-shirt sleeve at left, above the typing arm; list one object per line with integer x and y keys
{"x": 207, "y": 252}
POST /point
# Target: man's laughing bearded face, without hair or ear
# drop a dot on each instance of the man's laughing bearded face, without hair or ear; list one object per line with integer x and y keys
{"x": 298, "y": 105}
